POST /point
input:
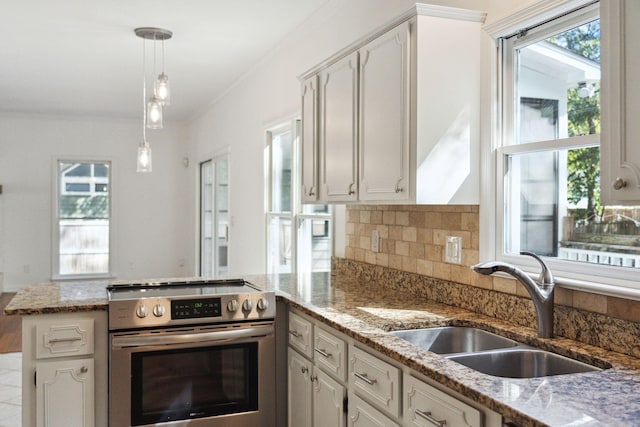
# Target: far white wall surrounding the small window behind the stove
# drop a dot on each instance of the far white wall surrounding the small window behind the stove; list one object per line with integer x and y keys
{"x": 151, "y": 216}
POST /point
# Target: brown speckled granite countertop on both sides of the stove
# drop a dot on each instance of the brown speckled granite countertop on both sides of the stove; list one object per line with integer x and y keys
{"x": 367, "y": 311}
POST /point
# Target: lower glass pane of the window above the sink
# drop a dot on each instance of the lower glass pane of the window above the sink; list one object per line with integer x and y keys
{"x": 553, "y": 209}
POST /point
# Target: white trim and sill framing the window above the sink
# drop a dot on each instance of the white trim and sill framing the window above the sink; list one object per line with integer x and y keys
{"x": 620, "y": 282}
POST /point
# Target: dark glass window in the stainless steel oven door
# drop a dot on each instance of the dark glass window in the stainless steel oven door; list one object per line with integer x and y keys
{"x": 193, "y": 383}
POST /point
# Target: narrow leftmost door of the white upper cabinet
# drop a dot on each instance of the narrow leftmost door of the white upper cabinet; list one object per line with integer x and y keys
{"x": 309, "y": 146}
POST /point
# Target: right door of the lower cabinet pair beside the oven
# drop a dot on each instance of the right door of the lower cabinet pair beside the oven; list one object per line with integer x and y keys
{"x": 328, "y": 400}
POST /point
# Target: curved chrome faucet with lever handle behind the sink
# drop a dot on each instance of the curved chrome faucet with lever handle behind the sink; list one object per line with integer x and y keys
{"x": 541, "y": 291}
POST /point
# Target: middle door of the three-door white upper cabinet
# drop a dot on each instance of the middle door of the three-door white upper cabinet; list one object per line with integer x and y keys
{"x": 338, "y": 130}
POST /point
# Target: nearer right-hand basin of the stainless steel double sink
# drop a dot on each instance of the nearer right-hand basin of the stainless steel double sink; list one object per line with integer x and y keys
{"x": 521, "y": 363}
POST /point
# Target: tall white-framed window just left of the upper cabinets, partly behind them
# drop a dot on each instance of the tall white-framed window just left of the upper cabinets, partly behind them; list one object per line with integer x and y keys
{"x": 298, "y": 236}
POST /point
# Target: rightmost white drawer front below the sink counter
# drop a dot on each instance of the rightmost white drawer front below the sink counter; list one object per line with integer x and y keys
{"x": 427, "y": 406}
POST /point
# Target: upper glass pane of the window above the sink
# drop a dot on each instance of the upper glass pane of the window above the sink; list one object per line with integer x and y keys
{"x": 558, "y": 86}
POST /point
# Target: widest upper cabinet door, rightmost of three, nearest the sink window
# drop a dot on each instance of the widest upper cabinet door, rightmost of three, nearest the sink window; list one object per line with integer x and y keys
{"x": 384, "y": 117}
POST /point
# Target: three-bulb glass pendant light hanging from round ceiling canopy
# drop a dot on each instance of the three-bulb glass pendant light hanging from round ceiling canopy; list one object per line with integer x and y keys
{"x": 152, "y": 108}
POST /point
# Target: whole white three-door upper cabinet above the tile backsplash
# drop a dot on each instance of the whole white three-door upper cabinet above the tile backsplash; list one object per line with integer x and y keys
{"x": 398, "y": 120}
